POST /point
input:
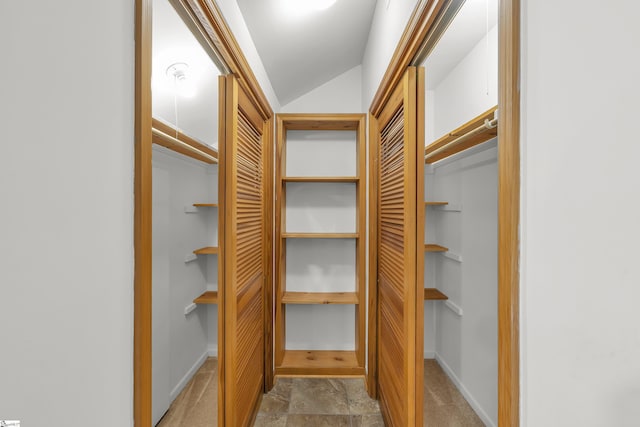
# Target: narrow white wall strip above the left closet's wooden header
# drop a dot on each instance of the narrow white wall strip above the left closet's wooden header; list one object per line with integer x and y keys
{"x": 238, "y": 26}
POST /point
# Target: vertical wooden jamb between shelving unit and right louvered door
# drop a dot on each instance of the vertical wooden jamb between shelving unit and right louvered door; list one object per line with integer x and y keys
{"x": 372, "y": 354}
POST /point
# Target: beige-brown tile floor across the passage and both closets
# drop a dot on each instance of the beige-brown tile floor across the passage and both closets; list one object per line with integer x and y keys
{"x": 312, "y": 402}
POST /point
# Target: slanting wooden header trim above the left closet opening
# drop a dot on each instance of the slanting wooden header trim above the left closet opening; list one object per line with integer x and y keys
{"x": 213, "y": 26}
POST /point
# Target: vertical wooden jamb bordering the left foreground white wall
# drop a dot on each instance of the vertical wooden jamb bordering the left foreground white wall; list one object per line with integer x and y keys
{"x": 142, "y": 219}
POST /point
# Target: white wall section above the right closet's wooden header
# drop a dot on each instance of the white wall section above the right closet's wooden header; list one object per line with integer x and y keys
{"x": 389, "y": 21}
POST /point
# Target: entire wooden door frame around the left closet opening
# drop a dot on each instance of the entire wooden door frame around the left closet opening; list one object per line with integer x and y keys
{"x": 210, "y": 27}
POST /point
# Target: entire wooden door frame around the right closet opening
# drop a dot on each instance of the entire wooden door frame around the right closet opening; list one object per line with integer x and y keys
{"x": 421, "y": 23}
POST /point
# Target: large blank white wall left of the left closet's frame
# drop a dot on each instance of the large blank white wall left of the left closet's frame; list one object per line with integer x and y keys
{"x": 66, "y": 223}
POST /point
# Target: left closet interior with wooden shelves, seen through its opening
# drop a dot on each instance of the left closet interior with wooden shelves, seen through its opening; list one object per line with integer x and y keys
{"x": 186, "y": 221}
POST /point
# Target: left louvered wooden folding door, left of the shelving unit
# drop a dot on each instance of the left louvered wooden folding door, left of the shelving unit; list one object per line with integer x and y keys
{"x": 245, "y": 251}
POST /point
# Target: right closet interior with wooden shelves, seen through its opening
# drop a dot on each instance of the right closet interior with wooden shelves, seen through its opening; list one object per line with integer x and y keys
{"x": 461, "y": 217}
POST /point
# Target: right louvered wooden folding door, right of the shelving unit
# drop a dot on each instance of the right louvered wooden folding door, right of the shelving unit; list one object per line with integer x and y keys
{"x": 400, "y": 262}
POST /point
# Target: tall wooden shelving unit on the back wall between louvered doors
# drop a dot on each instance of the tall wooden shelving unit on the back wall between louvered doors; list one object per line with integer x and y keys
{"x": 315, "y": 362}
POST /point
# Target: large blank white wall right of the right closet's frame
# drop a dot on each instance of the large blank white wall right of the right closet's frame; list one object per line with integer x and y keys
{"x": 580, "y": 209}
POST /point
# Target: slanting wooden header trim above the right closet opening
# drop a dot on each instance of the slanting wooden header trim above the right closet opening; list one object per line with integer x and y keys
{"x": 420, "y": 23}
